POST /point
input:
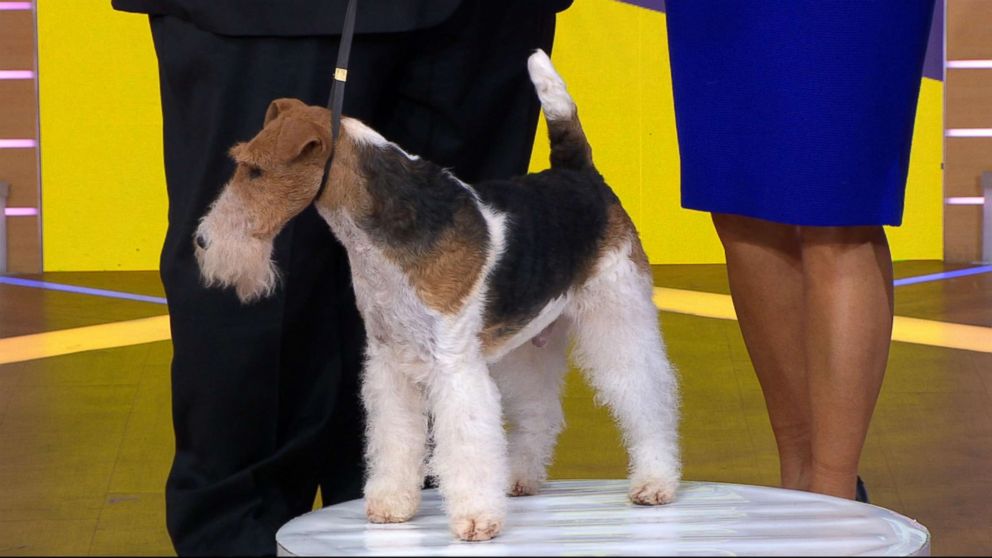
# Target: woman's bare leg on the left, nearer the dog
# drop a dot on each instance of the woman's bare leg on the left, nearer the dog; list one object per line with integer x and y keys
{"x": 765, "y": 269}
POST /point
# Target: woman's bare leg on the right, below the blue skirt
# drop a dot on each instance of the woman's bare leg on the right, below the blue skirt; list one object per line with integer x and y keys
{"x": 848, "y": 277}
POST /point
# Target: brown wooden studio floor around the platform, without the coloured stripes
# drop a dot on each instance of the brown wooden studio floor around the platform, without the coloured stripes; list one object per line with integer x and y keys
{"x": 85, "y": 437}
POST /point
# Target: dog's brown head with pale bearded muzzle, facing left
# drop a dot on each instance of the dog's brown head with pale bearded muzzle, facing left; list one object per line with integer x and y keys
{"x": 278, "y": 175}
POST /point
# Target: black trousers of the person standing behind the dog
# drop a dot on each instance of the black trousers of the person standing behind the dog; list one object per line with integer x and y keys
{"x": 266, "y": 396}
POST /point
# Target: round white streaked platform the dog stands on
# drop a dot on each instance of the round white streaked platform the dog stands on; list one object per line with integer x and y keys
{"x": 596, "y": 518}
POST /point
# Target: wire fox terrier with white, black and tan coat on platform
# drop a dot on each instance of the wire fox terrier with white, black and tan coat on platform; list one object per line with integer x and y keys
{"x": 472, "y": 296}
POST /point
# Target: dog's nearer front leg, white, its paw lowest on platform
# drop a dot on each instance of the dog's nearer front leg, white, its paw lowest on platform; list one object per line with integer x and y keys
{"x": 470, "y": 447}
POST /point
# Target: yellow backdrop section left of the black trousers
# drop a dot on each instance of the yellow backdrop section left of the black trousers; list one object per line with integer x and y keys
{"x": 103, "y": 184}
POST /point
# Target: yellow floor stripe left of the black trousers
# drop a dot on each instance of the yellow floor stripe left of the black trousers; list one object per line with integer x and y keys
{"x": 76, "y": 340}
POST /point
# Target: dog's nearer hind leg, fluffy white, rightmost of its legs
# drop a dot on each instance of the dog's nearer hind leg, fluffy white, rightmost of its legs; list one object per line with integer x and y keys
{"x": 619, "y": 346}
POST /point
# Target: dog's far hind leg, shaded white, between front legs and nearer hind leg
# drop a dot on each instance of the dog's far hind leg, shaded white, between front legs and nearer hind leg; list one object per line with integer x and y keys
{"x": 529, "y": 380}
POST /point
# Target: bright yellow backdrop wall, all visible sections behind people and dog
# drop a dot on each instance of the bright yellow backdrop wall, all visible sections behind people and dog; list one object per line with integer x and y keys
{"x": 104, "y": 203}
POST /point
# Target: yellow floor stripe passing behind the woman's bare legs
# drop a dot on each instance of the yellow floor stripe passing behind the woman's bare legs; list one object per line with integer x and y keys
{"x": 906, "y": 330}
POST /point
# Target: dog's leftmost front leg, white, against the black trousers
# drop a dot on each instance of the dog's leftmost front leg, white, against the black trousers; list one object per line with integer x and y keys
{"x": 396, "y": 436}
